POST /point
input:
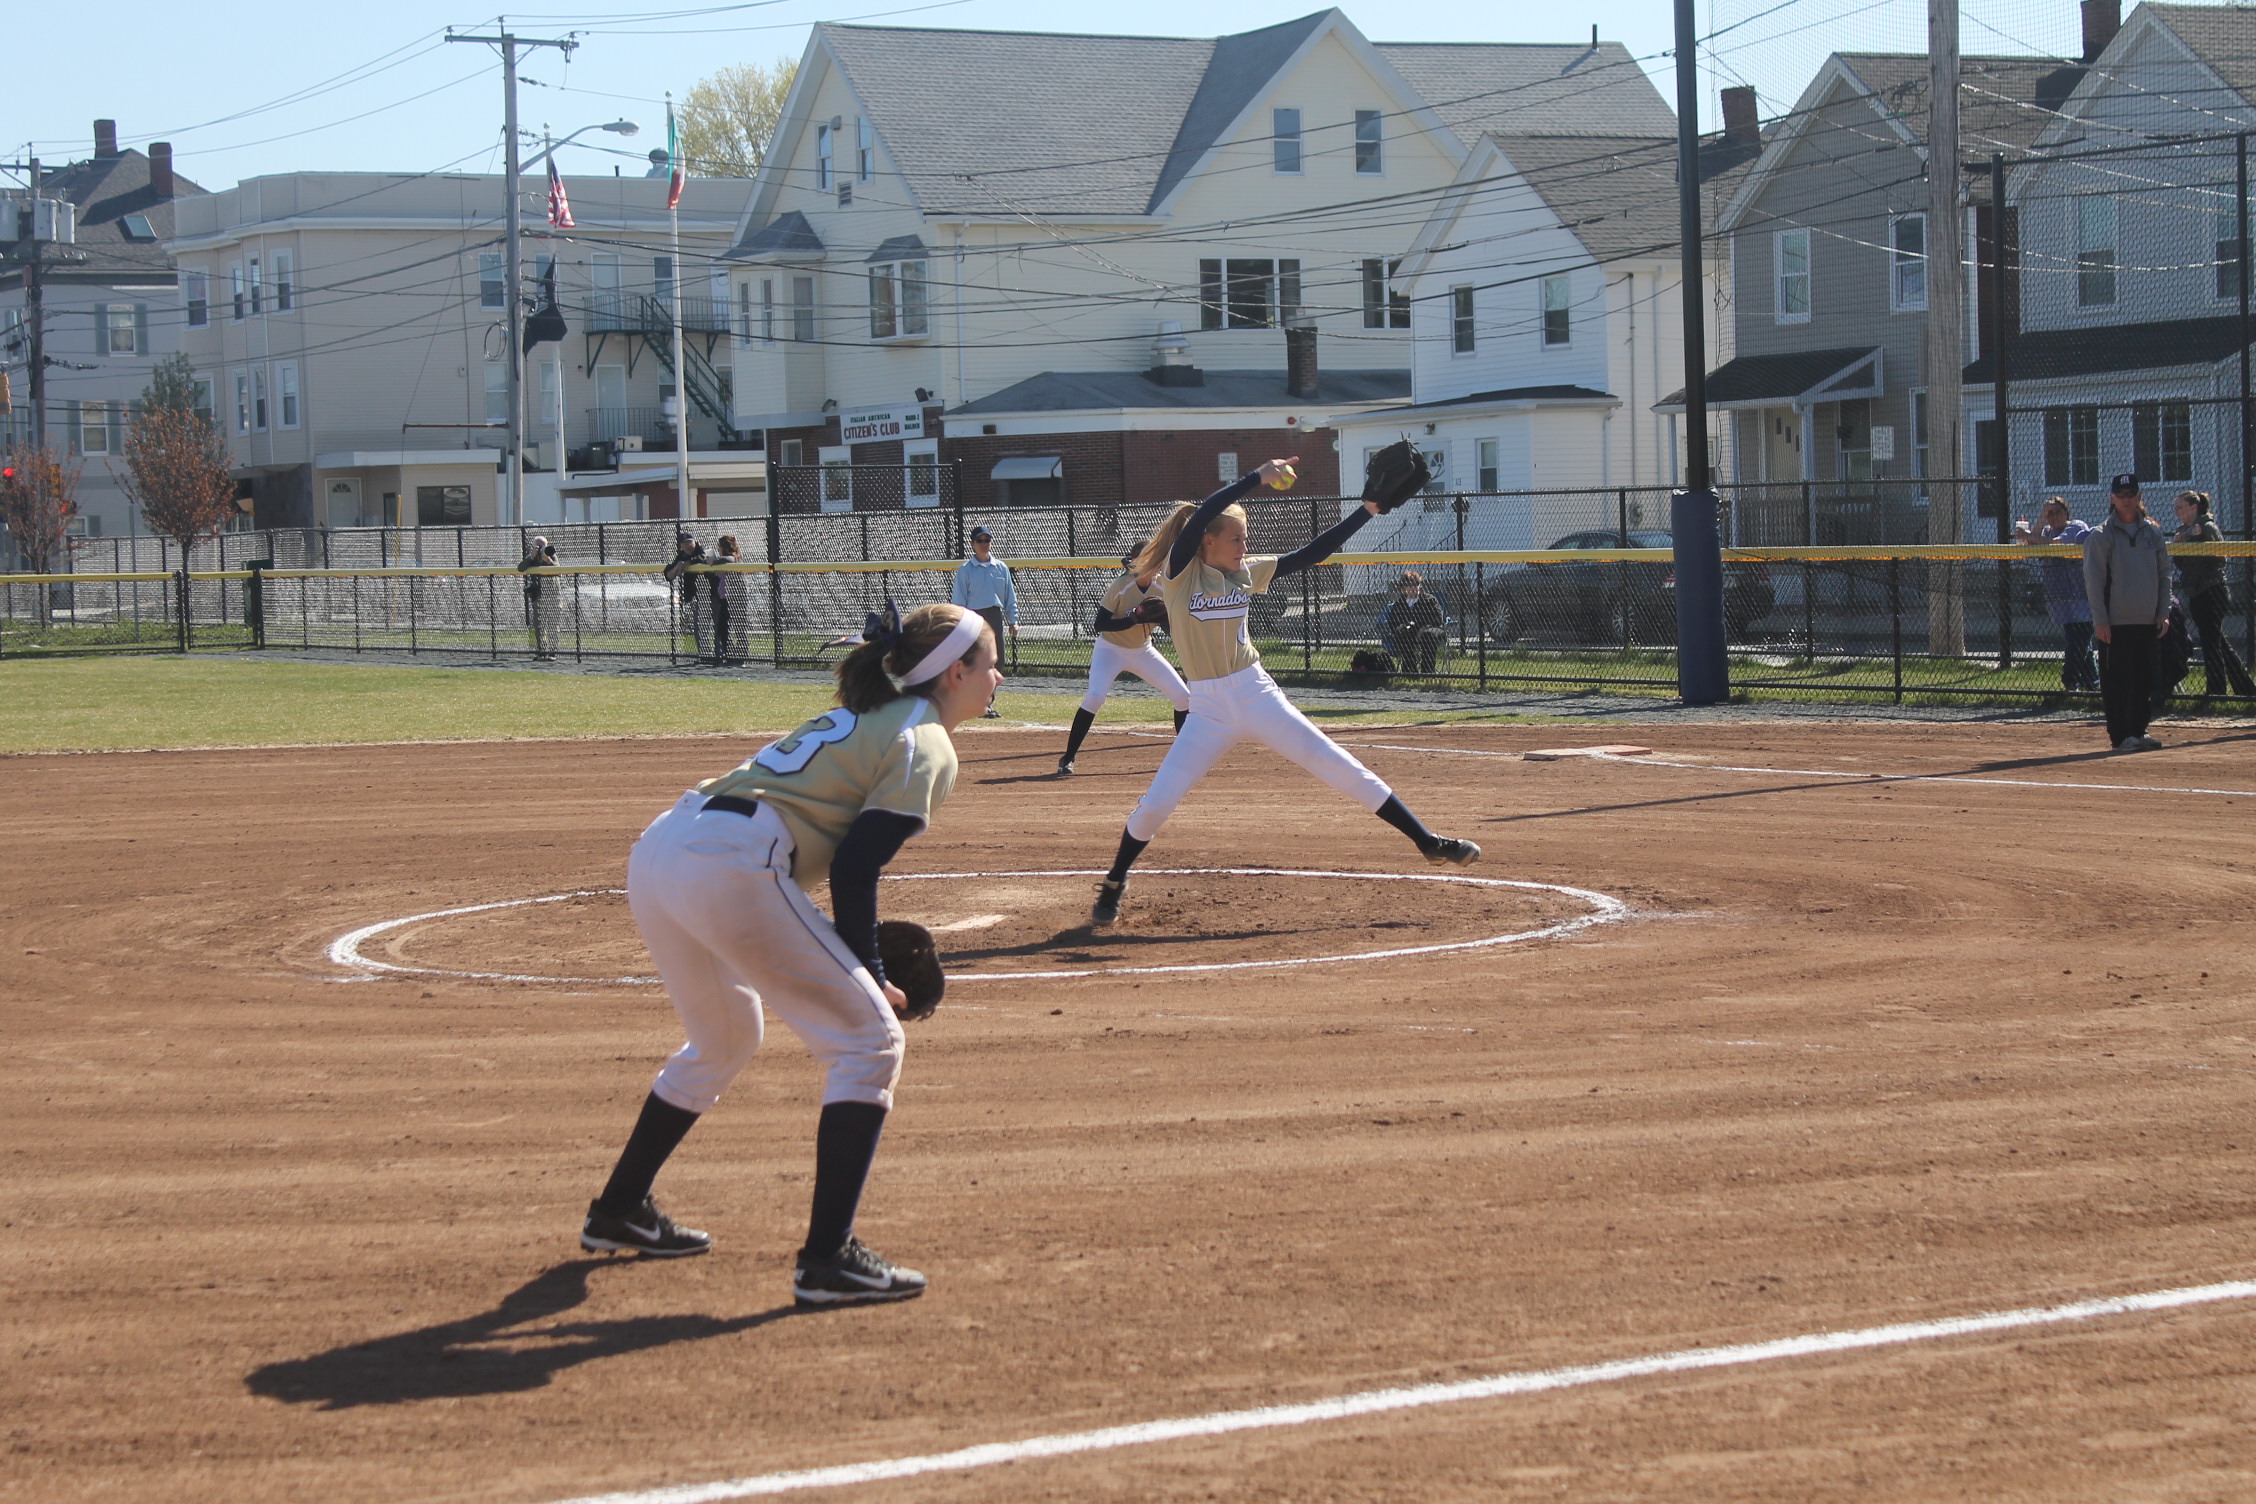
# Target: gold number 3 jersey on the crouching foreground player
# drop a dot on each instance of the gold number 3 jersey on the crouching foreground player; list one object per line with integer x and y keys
{"x": 838, "y": 766}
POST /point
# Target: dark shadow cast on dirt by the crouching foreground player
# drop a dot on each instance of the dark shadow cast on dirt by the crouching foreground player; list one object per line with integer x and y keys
{"x": 495, "y": 1352}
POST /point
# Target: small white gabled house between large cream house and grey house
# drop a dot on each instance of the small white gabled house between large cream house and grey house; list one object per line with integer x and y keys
{"x": 1546, "y": 326}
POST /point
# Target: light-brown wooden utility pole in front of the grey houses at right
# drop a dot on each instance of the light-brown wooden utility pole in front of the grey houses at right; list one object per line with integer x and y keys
{"x": 1946, "y": 328}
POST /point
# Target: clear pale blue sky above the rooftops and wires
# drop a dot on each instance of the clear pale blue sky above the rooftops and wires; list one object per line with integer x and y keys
{"x": 200, "y": 76}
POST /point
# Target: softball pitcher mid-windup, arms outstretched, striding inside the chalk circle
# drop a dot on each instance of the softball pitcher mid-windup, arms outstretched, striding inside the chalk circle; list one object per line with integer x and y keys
{"x": 1208, "y": 592}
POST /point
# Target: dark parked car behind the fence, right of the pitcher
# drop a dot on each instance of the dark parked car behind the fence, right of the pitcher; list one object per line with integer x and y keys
{"x": 1612, "y": 601}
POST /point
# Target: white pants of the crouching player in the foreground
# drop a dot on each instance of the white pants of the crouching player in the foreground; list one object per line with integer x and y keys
{"x": 730, "y": 930}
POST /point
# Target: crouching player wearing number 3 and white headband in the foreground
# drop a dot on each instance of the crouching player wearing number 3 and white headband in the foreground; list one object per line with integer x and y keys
{"x": 719, "y": 890}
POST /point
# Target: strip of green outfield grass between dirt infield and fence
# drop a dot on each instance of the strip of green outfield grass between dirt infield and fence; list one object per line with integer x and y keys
{"x": 109, "y": 705}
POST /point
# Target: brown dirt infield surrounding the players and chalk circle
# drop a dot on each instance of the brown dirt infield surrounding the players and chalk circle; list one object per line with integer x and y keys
{"x": 1865, "y": 1052}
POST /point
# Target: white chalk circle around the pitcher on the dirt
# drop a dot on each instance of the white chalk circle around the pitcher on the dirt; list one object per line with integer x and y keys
{"x": 1605, "y": 910}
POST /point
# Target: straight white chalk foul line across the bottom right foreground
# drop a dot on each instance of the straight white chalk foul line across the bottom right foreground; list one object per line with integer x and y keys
{"x": 1420, "y": 1397}
